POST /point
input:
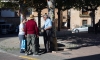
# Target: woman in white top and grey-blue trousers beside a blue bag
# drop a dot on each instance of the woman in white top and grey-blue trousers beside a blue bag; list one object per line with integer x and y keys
{"x": 21, "y": 33}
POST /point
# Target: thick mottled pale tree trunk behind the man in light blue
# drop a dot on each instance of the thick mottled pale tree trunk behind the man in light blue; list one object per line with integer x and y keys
{"x": 51, "y": 13}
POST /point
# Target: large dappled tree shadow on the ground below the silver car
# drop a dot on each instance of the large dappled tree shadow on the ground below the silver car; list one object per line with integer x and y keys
{"x": 79, "y": 39}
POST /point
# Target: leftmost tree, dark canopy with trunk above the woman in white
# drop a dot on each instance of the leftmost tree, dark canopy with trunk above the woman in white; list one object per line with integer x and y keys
{"x": 14, "y": 5}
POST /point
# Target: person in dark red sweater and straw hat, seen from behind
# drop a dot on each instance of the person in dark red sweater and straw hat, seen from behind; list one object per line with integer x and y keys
{"x": 31, "y": 31}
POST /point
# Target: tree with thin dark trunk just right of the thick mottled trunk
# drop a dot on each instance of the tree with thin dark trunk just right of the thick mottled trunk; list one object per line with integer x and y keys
{"x": 63, "y": 5}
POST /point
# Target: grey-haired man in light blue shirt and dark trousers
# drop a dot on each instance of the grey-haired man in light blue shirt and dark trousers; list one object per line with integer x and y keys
{"x": 47, "y": 33}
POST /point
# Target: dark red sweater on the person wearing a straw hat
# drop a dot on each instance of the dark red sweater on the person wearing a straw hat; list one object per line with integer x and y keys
{"x": 31, "y": 27}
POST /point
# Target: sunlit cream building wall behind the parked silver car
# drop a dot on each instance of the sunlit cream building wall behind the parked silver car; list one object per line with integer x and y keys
{"x": 76, "y": 20}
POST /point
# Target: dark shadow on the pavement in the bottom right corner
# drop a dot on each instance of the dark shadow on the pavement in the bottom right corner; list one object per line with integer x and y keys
{"x": 92, "y": 57}
